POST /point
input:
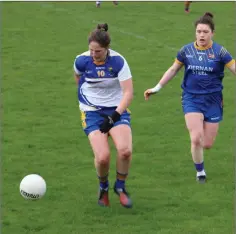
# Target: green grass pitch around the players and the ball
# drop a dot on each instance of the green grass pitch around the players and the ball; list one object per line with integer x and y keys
{"x": 42, "y": 131}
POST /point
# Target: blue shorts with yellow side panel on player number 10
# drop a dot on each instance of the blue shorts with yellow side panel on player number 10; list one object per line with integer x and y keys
{"x": 91, "y": 120}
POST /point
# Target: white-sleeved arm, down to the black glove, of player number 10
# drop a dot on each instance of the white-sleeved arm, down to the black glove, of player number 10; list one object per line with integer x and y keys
{"x": 126, "y": 84}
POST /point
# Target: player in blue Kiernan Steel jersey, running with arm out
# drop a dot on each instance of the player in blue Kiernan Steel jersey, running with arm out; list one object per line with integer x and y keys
{"x": 204, "y": 62}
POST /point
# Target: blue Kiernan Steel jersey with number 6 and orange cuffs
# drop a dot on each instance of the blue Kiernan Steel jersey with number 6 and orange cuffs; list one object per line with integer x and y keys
{"x": 204, "y": 67}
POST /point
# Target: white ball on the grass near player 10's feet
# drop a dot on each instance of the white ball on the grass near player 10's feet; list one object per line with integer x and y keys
{"x": 33, "y": 187}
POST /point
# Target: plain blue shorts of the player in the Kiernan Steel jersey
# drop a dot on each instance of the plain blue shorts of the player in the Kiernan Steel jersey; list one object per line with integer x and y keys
{"x": 210, "y": 105}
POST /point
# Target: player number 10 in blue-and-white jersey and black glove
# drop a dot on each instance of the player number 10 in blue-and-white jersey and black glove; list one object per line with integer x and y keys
{"x": 105, "y": 91}
